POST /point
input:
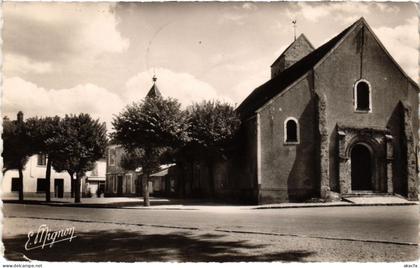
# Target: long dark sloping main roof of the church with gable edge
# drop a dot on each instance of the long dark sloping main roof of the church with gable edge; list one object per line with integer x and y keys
{"x": 283, "y": 80}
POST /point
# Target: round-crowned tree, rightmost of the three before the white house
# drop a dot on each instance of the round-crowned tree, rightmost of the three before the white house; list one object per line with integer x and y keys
{"x": 83, "y": 141}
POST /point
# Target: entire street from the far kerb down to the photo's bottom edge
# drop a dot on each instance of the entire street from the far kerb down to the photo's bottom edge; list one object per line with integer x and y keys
{"x": 222, "y": 233}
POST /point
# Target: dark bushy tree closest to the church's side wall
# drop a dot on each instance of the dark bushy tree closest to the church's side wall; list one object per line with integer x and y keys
{"x": 212, "y": 127}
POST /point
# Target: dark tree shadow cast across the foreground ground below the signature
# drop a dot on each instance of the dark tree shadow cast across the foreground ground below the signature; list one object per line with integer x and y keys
{"x": 123, "y": 246}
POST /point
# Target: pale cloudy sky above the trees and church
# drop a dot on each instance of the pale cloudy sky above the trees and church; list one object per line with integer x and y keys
{"x": 62, "y": 58}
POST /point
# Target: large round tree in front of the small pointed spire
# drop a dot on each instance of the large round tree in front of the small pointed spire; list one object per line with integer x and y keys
{"x": 150, "y": 128}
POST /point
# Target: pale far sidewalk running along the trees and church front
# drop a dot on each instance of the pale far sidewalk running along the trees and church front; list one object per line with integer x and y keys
{"x": 207, "y": 205}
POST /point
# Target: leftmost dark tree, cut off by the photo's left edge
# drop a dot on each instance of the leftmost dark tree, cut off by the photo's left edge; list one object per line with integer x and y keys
{"x": 16, "y": 149}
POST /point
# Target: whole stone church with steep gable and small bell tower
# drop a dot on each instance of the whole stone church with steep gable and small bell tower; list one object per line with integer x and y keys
{"x": 331, "y": 122}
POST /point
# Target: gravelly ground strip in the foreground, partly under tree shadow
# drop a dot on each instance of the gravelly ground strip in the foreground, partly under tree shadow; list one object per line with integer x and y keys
{"x": 129, "y": 243}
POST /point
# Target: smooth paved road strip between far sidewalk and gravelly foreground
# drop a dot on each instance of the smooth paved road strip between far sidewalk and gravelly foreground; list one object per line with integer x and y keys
{"x": 390, "y": 224}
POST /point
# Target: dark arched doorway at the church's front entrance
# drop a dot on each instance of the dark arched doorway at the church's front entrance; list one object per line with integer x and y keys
{"x": 361, "y": 168}
